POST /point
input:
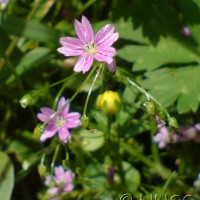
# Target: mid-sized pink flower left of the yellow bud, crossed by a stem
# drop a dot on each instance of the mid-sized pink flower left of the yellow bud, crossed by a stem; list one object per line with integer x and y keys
{"x": 59, "y": 122}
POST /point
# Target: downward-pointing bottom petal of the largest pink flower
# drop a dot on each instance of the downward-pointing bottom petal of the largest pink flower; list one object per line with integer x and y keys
{"x": 84, "y": 63}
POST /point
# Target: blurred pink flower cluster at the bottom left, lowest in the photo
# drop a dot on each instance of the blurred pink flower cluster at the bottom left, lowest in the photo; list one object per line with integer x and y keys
{"x": 60, "y": 182}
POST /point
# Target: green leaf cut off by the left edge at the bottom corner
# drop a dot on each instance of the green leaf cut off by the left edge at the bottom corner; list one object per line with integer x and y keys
{"x": 6, "y": 176}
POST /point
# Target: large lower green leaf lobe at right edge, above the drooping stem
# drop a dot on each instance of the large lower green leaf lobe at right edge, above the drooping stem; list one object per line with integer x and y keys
{"x": 170, "y": 85}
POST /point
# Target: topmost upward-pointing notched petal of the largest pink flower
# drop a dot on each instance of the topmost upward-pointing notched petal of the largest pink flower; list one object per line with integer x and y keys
{"x": 84, "y": 30}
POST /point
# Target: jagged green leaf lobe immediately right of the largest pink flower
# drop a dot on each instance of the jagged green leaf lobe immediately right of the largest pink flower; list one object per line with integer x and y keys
{"x": 149, "y": 57}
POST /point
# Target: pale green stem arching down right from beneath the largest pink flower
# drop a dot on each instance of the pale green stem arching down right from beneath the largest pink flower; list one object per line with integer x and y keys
{"x": 149, "y": 97}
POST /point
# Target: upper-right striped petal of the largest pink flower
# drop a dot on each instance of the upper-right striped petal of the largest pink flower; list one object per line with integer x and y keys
{"x": 106, "y": 36}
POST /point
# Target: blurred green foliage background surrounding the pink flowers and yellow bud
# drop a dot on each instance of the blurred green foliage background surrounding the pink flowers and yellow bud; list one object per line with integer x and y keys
{"x": 152, "y": 50}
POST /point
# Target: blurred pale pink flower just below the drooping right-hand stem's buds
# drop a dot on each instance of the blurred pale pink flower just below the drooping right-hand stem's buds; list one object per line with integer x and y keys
{"x": 163, "y": 137}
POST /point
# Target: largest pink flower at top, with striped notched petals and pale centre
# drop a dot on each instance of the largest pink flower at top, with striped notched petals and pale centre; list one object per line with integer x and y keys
{"x": 89, "y": 46}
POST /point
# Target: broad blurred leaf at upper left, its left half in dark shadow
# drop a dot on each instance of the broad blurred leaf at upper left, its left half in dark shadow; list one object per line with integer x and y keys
{"x": 29, "y": 29}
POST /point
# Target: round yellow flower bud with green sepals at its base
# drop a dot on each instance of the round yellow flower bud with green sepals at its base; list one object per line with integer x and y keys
{"x": 109, "y": 102}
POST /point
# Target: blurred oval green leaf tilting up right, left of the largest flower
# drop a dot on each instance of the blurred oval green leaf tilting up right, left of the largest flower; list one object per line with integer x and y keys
{"x": 31, "y": 59}
